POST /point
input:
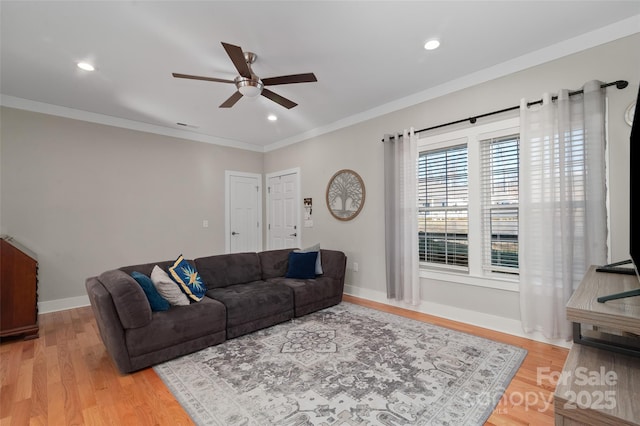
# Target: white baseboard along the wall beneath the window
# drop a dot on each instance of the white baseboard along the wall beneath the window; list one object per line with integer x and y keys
{"x": 479, "y": 319}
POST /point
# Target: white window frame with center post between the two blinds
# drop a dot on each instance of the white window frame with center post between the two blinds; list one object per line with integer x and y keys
{"x": 475, "y": 274}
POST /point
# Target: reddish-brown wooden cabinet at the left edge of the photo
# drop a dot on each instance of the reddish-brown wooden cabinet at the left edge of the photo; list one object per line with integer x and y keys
{"x": 18, "y": 290}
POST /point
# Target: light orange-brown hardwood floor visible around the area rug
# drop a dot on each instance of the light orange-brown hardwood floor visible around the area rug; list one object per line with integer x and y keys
{"x": 65, "y": 377}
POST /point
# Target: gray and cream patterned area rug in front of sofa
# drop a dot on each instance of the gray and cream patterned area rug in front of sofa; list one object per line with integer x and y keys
{"x": 345, "y": 365}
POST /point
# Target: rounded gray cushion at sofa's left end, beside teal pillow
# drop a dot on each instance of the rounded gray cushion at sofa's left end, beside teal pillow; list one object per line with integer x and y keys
{"x": 128, "y": 297}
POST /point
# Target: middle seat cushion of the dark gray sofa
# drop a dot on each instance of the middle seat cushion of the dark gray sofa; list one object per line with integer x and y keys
{"x": 252, "y": 301}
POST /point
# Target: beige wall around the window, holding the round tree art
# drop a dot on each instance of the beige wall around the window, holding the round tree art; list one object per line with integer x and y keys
{"x": 359, "y": 148}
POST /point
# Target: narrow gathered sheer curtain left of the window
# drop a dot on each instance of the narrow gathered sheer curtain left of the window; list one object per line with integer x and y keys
{"x": 401, "y": 217}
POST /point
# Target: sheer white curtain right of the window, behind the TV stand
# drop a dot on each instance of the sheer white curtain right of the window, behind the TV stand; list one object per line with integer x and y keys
{"x": 562, "y": 203}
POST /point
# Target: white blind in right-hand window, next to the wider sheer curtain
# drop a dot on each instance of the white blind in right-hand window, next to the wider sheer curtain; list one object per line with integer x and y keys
{"x": 500, "y": 179}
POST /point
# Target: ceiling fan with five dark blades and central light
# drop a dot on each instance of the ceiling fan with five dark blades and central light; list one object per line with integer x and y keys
{"x": 249, "y": 84}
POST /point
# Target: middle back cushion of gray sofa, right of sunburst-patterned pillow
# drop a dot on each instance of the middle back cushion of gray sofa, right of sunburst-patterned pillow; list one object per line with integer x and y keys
{"x": 228, "y": 269}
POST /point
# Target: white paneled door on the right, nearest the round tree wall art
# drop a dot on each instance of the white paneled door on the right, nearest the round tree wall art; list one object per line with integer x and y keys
{"x": 284, "y": 209}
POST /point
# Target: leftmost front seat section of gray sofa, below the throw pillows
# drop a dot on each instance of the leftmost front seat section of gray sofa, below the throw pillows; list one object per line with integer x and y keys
{"x": 177, "y": 325}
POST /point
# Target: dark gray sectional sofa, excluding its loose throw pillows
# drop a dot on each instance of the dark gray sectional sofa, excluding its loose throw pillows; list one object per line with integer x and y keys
{"x": 245, "y": 292}
